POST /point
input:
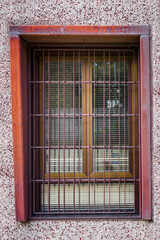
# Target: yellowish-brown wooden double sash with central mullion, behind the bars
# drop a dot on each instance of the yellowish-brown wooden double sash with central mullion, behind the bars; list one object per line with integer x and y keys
{"x": 87, "y": 120}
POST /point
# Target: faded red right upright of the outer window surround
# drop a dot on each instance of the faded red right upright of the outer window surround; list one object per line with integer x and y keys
{"x": 145, "y": 126}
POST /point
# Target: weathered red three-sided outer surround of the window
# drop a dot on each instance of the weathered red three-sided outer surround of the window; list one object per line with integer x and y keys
{"x": 19, "y": 78}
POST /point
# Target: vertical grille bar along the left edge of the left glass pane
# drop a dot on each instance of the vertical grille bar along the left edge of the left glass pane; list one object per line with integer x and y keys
{"x": 49, "y": 105}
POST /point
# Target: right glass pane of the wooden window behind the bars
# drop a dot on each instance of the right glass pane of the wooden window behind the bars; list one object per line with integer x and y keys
{"x": 110, "y": 131}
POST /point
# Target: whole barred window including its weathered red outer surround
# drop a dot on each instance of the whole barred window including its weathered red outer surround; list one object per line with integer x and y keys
{"x": 81, "y": 122}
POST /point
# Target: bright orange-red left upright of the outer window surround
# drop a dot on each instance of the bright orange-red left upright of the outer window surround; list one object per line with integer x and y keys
{"x": 19, "y": 141}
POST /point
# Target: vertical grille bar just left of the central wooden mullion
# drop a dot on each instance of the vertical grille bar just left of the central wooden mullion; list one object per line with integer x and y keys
{"x": 79, "y": 106}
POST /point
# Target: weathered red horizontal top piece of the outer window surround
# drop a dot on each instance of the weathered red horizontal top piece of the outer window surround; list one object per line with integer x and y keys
{"x": 81, "y": 30}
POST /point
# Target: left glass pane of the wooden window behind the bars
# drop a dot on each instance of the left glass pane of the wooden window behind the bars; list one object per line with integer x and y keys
{"x": 73, "y": 136}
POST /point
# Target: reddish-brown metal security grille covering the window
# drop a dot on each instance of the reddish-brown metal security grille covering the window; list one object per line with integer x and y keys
{"x": 84, "y": 132}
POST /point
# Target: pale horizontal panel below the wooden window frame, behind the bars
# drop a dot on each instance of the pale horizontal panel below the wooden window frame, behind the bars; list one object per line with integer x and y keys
{"x": 116, "y": 197}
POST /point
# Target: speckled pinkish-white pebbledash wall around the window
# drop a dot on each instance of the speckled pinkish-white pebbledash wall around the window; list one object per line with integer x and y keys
{"x": 75, "y": 12}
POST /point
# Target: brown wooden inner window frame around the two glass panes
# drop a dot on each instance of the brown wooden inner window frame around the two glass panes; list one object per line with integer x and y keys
{"x": 85, "y": 110}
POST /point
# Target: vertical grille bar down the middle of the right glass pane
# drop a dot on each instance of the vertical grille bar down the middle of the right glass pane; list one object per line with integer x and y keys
{"x": 109, "y": 130}
